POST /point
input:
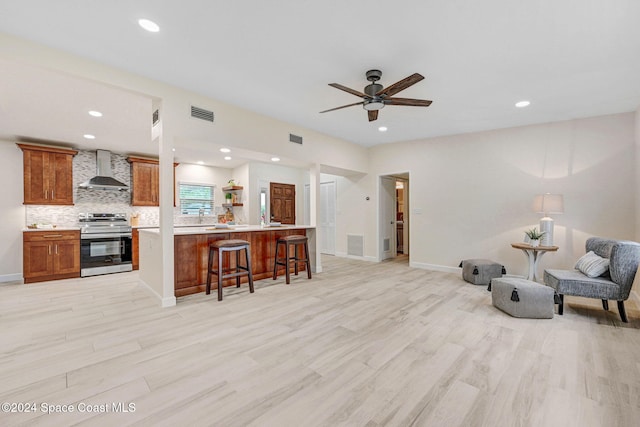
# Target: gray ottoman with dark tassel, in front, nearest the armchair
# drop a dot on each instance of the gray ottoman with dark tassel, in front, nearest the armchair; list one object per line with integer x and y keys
{"x": 522, "y": 298}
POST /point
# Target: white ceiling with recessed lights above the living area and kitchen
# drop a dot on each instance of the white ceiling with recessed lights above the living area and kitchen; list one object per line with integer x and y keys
{"x": 570, "y": 58}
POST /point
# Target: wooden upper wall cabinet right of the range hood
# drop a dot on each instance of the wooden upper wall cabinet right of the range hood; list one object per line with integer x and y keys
{"x": 145, "y": 181}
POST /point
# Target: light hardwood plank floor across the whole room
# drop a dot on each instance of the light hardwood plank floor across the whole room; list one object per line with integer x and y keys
{"x": 361, "y": 344}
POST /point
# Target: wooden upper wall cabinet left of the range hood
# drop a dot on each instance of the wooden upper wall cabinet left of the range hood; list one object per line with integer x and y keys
{"x": 48, "y": 175}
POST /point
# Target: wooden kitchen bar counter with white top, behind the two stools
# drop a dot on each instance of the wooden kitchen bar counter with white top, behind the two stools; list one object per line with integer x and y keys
{"x": 191, "y": 248}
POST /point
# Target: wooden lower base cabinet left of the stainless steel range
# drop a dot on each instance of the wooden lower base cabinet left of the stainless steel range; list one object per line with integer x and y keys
{"x": 50, "y": 255}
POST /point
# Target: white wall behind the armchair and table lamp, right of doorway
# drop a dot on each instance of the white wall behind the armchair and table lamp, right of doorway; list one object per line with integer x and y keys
{"x": 474, "y": 192}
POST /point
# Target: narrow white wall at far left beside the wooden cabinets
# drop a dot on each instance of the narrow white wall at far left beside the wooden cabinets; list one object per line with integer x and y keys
{"x": 12, "y": 212}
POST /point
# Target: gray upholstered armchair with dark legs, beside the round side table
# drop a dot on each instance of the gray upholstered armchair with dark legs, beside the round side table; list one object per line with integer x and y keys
{"x": 623, "y": 256}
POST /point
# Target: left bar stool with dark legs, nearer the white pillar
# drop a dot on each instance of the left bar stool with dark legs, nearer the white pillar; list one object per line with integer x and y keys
{"x": 222, "y": 246}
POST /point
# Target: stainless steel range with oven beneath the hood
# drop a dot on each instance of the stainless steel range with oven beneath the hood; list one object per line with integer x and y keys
{"x": 105, "y": 243}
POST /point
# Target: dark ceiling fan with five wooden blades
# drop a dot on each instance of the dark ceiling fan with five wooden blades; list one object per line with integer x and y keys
{"x": 375, "y": 96}
